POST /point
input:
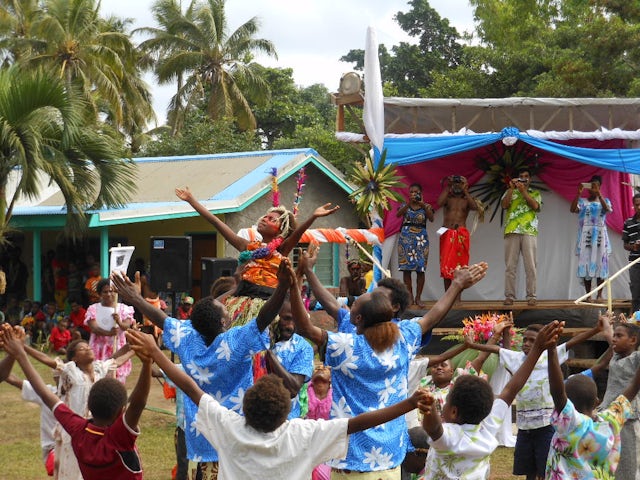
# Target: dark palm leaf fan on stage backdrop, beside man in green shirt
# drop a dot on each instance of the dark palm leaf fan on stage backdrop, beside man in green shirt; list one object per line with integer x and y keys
{"x": 501, "y": 163}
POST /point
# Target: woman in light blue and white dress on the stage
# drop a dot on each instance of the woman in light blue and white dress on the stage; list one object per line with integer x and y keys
{"x": 593, "y": 247}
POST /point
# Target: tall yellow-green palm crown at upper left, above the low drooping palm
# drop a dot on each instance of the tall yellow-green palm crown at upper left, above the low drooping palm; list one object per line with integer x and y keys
{"x": 94, "y": 55}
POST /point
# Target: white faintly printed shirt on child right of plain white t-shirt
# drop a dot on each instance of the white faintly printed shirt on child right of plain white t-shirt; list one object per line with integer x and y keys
{"x": 463, "y": 451}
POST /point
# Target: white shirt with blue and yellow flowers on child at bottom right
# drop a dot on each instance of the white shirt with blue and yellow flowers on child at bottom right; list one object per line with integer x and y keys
{"x": 583, "y": 447}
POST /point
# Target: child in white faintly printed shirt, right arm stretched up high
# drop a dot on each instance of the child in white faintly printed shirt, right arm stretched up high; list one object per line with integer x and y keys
{"x": 462, "y": 441}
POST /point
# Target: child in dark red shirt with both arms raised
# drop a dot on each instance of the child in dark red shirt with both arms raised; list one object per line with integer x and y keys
{"x": 104, "y": 444}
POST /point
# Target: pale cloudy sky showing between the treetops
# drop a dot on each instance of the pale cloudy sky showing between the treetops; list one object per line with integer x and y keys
{"x": 310, "y": 36}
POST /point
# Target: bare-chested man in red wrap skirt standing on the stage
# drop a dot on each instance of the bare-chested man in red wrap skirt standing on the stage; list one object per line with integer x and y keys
{"x": 454, "y": 243}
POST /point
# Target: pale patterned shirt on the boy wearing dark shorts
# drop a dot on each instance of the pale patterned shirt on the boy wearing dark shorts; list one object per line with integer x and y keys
{"x": 534, "y": 404}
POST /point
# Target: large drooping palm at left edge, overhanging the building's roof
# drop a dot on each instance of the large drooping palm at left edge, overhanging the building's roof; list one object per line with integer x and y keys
{"x": 45, "y": 132}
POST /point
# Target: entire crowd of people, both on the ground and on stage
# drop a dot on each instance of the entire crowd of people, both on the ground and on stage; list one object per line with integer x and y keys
{"x": 266, "y": 393}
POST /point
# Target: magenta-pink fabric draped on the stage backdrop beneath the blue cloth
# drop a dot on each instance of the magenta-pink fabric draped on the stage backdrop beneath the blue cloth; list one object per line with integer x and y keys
{"x": 560, "y": 174}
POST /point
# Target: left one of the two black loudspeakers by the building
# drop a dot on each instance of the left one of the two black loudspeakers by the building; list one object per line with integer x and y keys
{"x": 170, "y": 264}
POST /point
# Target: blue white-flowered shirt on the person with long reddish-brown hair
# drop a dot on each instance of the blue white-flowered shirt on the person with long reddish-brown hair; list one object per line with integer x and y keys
{"x": 364, "y": 380}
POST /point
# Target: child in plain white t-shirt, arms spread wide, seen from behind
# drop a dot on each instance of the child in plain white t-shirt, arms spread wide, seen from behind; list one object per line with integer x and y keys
{"x": 274, "y": 447}
